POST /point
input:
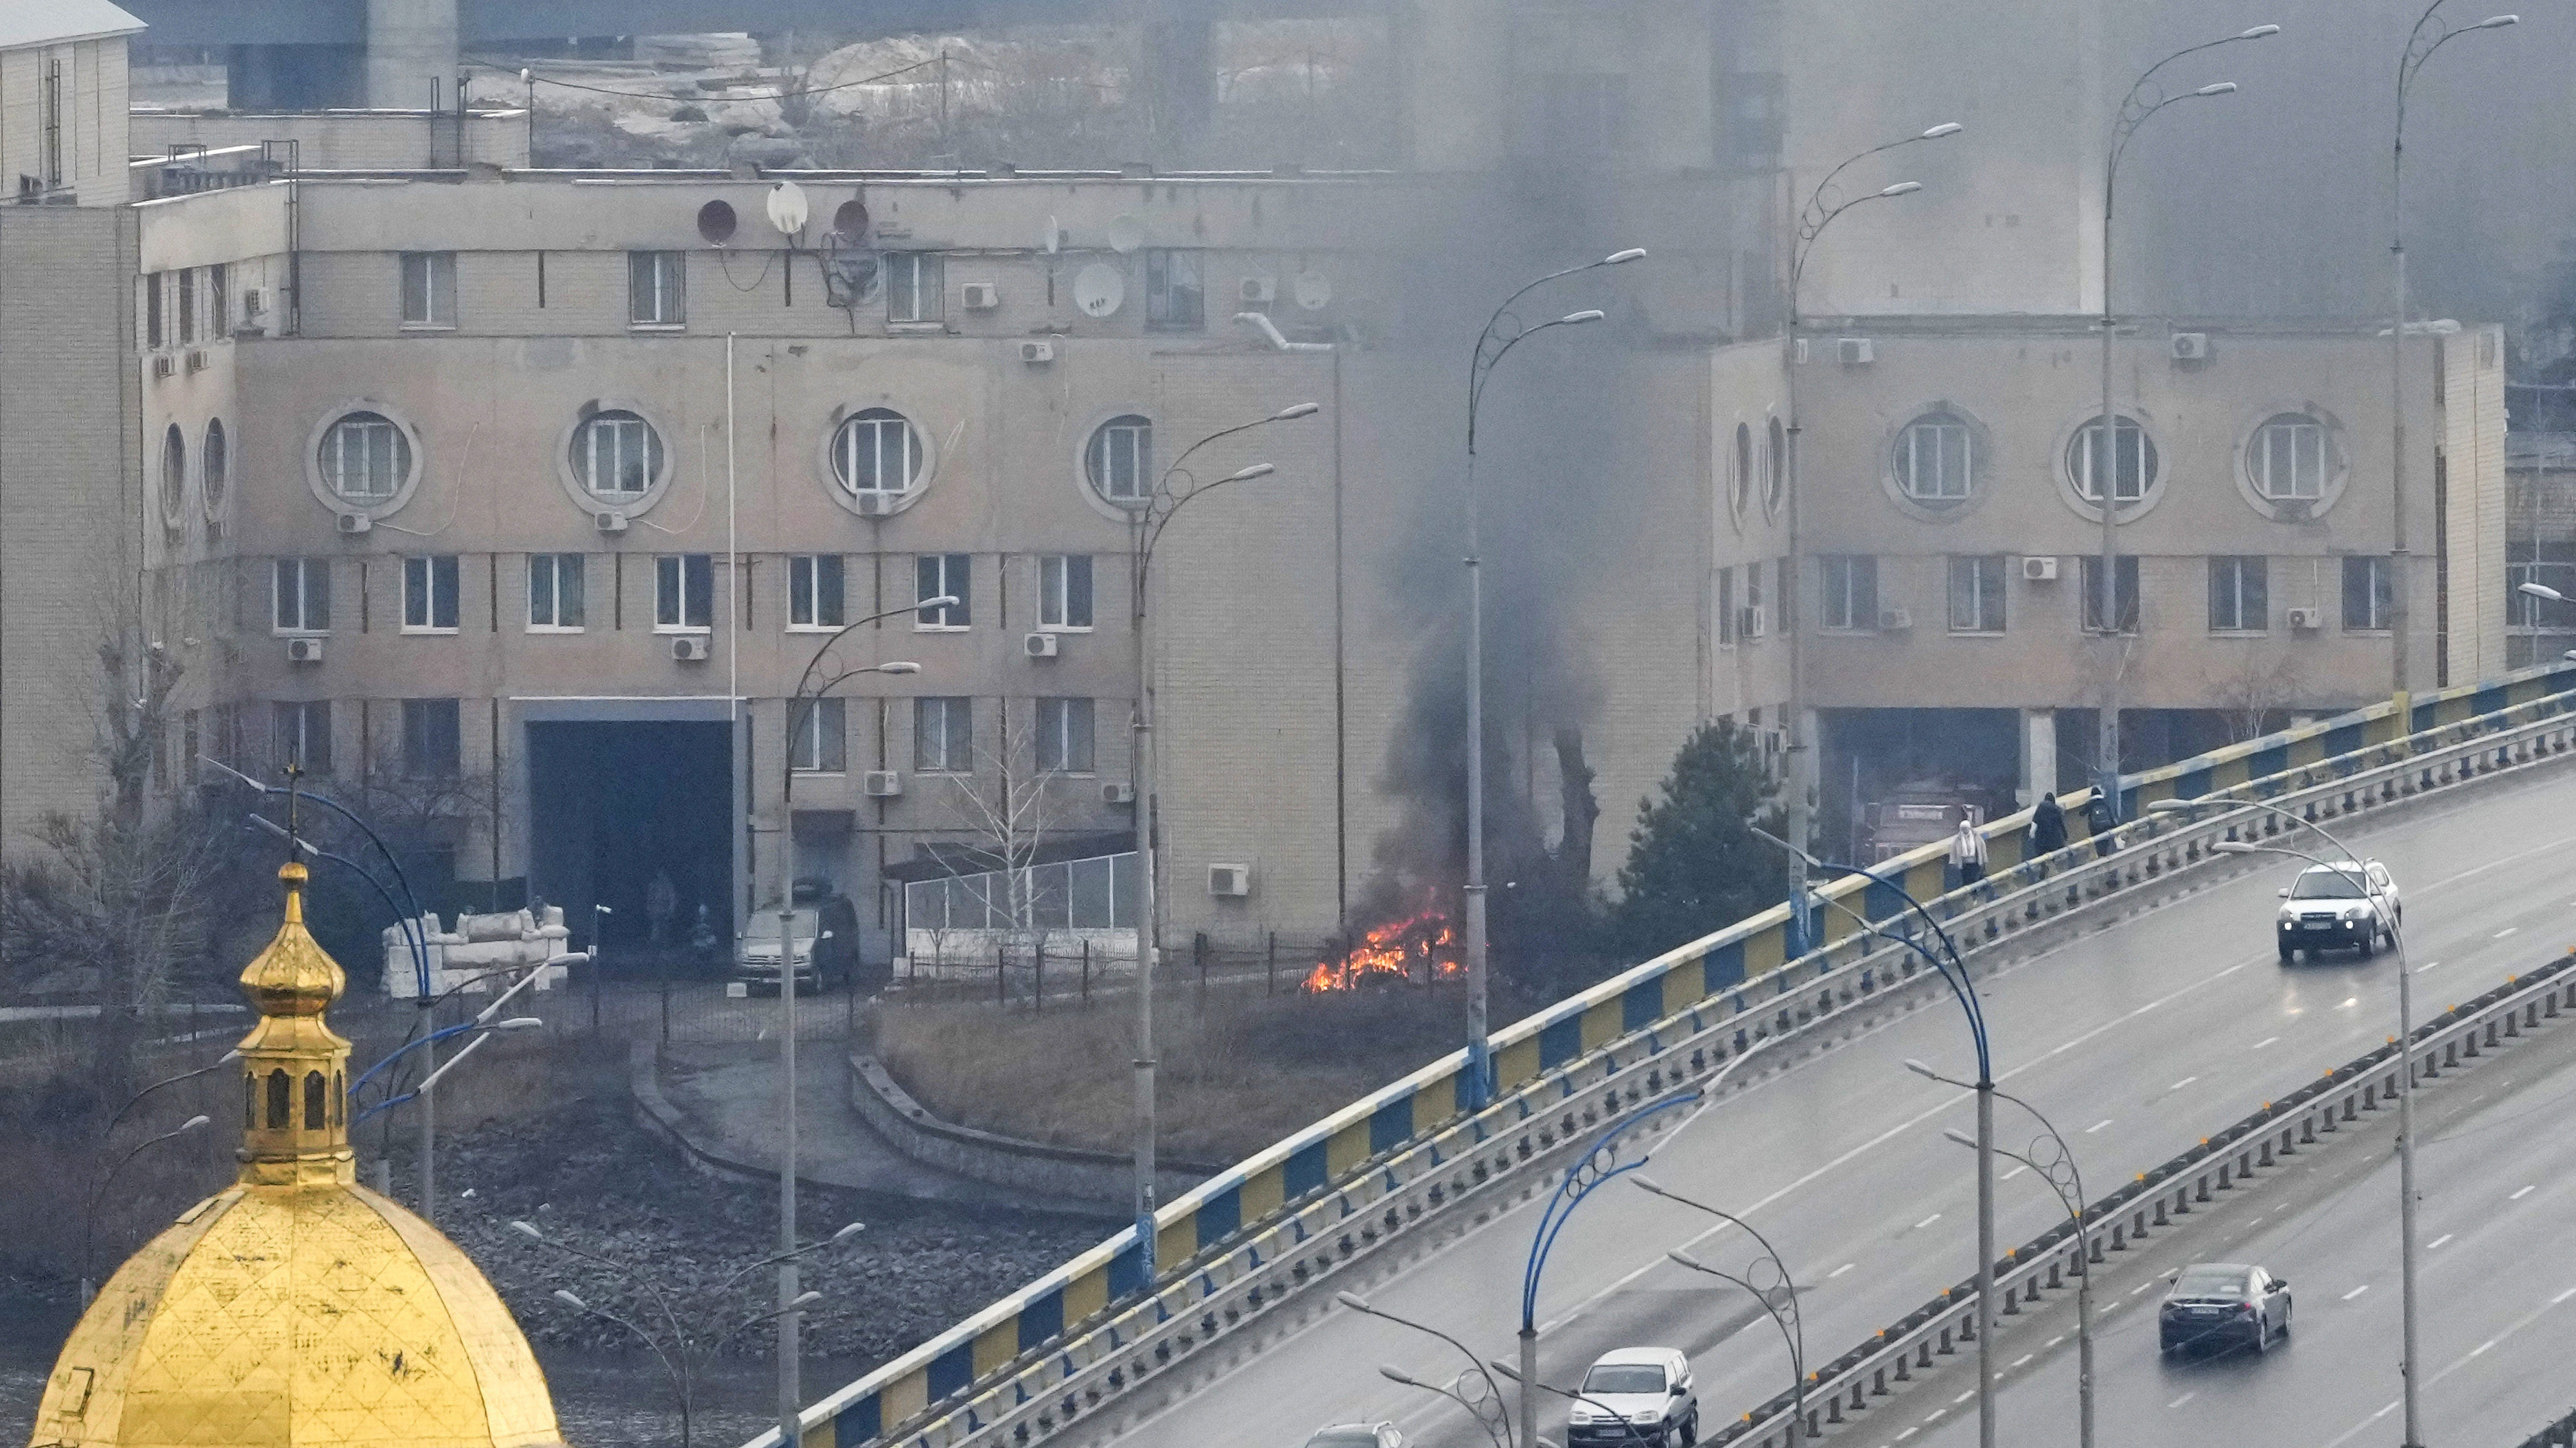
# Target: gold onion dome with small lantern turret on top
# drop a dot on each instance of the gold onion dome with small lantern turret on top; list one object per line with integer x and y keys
{"x": 298, "y": 1308}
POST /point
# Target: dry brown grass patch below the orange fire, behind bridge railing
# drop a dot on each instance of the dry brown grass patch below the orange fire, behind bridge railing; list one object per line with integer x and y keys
{"x": 1235, "y": 1073}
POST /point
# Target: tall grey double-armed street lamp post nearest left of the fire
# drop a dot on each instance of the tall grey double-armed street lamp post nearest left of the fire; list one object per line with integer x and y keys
{"x": 1148, "y": 519}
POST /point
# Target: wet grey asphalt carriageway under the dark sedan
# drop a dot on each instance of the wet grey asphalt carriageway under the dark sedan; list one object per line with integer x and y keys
{"x": 2497, "y": 1184}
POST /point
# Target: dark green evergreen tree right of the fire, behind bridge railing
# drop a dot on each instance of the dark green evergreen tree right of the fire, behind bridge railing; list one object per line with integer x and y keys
{"x": 1694, "y": 862}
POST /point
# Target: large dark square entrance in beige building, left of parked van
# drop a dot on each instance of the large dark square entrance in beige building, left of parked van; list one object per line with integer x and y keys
{"x": 620, "y": 805}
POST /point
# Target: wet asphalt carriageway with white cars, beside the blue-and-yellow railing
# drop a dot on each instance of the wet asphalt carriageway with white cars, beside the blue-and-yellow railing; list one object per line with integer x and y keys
{"x": 2134, "y": 1040}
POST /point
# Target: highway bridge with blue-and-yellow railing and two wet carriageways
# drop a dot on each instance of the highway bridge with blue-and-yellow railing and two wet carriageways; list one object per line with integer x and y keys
{"x": 2137, "y": 998}
